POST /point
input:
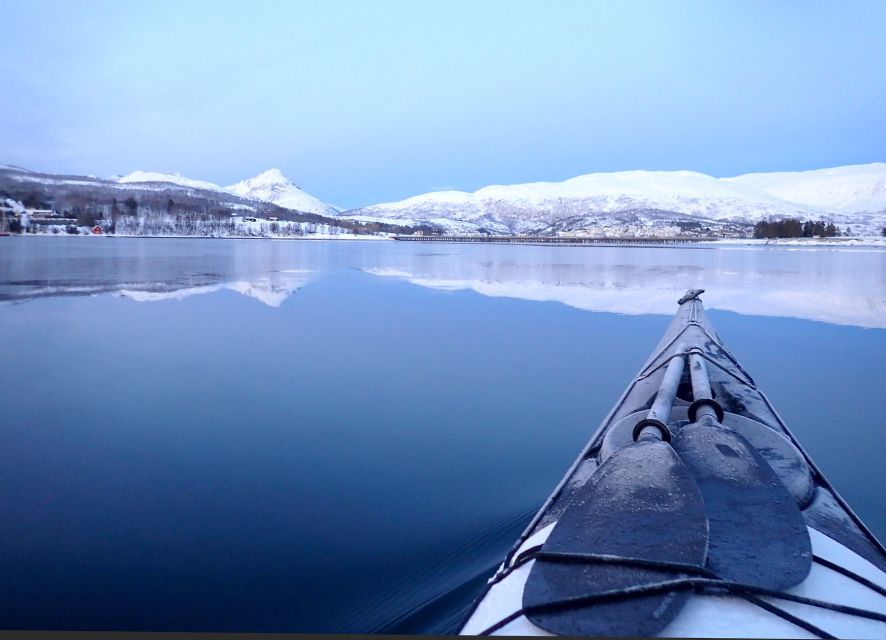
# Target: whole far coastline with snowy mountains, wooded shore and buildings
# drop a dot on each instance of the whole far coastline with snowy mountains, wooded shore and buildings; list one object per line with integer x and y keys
{"x": 845, "y": 201}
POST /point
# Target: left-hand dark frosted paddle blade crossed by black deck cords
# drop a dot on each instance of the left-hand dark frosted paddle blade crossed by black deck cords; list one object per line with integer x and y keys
{"x": 641, "y": 503}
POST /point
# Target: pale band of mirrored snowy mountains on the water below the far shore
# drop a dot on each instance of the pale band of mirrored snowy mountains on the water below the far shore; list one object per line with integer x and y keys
{"x": 834, "y": 285}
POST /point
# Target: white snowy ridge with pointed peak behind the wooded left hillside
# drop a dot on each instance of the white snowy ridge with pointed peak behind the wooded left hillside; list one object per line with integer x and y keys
{"x": 271, "y": 186}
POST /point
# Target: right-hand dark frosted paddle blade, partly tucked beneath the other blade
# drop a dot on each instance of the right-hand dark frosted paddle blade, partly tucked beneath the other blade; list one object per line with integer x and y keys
{"x": 757, "y": 533}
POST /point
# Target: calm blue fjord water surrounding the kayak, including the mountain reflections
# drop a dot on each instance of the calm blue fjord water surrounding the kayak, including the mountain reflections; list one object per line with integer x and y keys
{"x": 239, "y": 435}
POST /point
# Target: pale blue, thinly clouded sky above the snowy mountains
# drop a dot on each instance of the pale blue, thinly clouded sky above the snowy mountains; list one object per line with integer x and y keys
{"x": 367, "y": 102}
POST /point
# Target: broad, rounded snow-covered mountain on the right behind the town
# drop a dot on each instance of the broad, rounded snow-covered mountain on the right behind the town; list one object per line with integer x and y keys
{"x": 849, "y": 196}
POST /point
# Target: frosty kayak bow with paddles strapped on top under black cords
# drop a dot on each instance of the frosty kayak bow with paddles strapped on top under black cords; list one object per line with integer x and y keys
{"x": 840, "y": 593}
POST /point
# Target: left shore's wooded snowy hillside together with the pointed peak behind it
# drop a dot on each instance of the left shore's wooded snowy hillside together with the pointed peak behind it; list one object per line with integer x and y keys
{"x": 163, "y": 204}
